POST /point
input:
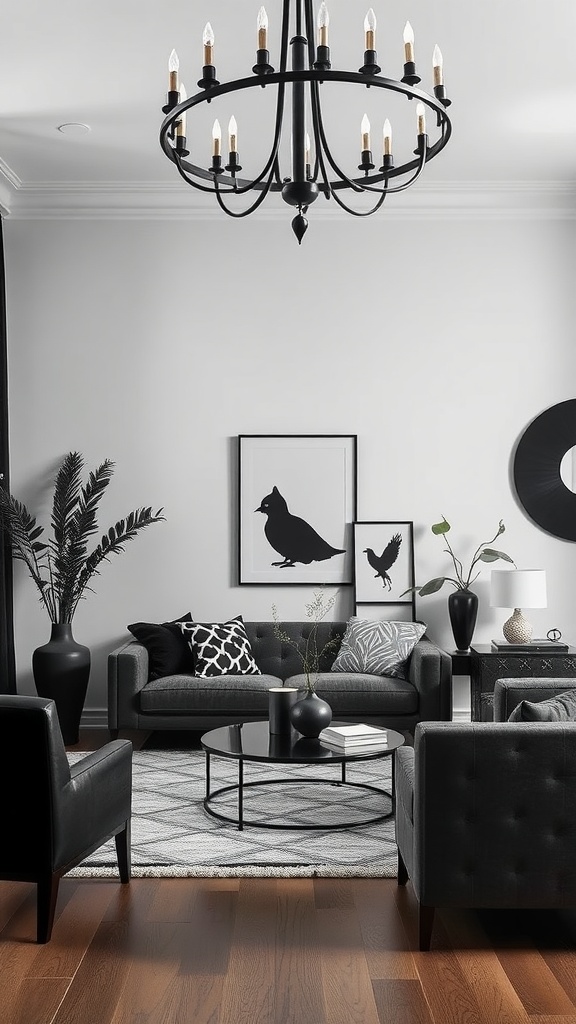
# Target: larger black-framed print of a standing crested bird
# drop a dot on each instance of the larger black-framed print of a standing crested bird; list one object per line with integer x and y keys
{"x": 297, "y": 508}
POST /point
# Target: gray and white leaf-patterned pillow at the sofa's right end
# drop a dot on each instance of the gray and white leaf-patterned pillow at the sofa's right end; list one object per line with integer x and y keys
{"x": 379, "y": 649}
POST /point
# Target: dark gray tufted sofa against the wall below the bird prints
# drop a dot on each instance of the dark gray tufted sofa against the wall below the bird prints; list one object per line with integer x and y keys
{"x": 189, "y": 703}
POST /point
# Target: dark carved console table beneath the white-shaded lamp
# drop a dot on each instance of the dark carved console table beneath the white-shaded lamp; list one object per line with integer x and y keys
{"x": 488, "y": 665}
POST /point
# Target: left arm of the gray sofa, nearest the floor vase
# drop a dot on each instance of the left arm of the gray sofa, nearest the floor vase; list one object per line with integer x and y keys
{"x": 128, "y": 673}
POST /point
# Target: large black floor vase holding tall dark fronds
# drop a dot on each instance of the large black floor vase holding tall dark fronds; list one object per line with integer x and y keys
{"x": 61, "y": 670}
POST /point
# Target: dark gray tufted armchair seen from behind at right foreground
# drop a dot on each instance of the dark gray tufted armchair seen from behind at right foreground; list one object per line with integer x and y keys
{"x": 486, "y": 812}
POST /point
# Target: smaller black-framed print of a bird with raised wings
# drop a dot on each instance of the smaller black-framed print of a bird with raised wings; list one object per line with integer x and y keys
{"x": 384, "y": 559}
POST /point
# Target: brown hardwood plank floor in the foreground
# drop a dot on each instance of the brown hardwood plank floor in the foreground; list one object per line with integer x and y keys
{"x": 276, "y": 952}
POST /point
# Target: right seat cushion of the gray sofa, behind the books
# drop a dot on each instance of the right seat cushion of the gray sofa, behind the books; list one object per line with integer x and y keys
{"x": 362, "y": 694}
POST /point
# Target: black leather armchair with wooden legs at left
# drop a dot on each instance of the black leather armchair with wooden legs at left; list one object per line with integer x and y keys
{"x": 55, "y": 816}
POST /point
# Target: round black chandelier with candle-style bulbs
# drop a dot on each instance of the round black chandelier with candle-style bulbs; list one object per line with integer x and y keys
{"x": 313, "y": 169}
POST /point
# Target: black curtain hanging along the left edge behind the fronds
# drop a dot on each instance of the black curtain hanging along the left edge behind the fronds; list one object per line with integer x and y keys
{"x": 8, "y": 664}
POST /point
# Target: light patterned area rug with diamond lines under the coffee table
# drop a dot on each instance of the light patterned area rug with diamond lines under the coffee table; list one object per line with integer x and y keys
{"x": 175, "y": 837}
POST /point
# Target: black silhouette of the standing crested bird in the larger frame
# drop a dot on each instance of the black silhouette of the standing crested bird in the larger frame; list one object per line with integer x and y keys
{"x": 294, "y": 538}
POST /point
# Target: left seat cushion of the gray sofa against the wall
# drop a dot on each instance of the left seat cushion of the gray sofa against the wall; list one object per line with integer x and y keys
{"x": 194, "y": 696}
